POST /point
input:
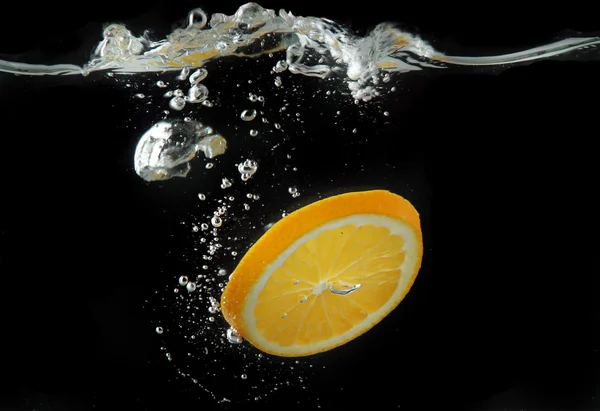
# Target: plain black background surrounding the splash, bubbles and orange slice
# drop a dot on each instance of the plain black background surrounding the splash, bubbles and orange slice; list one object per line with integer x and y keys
{"x": 503, "y": 303}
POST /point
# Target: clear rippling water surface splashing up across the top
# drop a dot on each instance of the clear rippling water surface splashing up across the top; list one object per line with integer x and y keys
{"x": 313, "y": 46}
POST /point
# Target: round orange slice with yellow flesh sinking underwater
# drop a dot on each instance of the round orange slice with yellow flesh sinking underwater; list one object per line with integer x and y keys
{"x": 325, "y": 274}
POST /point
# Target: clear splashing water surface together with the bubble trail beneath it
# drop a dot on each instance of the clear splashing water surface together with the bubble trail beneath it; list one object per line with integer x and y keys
{"x": 253, "y": 178}
